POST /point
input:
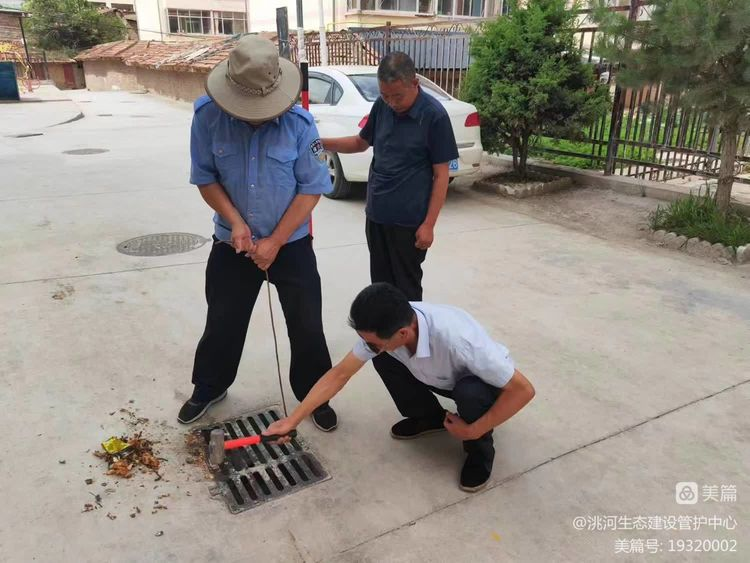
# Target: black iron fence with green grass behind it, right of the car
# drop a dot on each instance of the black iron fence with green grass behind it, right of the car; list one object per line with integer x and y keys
{"x": 648, "y": 134}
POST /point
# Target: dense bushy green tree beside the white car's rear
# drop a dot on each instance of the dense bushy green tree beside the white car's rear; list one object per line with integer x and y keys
{"x": 527, "y": 78}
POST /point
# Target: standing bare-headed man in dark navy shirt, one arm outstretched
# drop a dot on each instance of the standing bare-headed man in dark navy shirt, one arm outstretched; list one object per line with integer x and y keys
{"x": 413, "y": 144}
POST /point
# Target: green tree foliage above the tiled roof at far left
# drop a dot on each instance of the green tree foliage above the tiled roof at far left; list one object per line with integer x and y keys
{"x": 71, "y": 25}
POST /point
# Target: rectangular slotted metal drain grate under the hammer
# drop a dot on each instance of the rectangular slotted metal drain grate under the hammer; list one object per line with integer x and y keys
{"x": 251, "y": 476}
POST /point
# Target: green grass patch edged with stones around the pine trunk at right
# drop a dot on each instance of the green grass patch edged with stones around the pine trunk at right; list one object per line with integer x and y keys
{"x": 698, "y": 216}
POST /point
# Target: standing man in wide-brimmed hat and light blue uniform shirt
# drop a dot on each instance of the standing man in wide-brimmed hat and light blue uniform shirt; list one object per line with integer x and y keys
{"x": 256, "y": 159}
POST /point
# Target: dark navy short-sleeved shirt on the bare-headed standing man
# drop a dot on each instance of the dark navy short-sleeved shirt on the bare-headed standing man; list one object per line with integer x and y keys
{"x": 404, "y": 149}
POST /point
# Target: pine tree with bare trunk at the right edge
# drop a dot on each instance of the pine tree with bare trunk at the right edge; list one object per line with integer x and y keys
{"x": 700, "y": 51}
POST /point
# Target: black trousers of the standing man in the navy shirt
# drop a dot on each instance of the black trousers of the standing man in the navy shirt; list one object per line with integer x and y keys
{"x": 394, "y": 258}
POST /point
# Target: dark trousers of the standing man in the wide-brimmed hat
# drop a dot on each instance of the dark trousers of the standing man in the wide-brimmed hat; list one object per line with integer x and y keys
{"x": 233, "y": 282}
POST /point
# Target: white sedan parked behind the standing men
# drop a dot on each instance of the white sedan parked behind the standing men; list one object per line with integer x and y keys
{"x": 340, "y": 100}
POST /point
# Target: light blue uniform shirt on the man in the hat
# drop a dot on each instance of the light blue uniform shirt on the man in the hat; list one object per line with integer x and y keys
{"x": 262, "y": 169}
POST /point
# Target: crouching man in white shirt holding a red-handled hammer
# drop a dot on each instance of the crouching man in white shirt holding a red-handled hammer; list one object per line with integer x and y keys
{"x": 442, "y": 350}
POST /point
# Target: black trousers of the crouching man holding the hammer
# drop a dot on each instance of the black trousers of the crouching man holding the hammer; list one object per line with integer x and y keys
{"x": 414, "y": 399}
